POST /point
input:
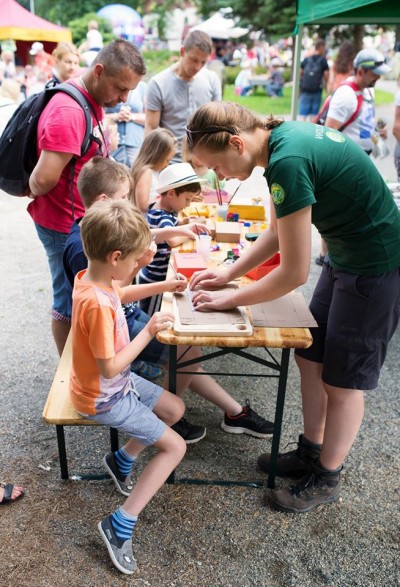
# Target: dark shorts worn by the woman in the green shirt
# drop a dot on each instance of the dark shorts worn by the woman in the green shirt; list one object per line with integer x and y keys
{"x": 357, "y": 316}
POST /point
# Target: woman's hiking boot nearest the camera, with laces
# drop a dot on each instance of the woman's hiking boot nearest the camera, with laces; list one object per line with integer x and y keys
{"x": 319, "y": 487}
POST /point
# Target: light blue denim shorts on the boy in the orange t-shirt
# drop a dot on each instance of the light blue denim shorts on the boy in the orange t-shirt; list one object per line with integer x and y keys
{"x": 134, "y": 415}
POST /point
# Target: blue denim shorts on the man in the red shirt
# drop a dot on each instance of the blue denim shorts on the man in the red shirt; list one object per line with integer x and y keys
{"x": 54, "y": 243}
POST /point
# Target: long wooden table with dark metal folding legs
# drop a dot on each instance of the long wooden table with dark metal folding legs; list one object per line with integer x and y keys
{"x": 267, "y": 338}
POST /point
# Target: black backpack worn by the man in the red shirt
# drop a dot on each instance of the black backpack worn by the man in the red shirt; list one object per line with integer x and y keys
{"x": 18, "y": 149}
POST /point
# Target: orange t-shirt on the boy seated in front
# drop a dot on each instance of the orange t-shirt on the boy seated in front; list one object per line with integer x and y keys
{"x": 99, "y": 331}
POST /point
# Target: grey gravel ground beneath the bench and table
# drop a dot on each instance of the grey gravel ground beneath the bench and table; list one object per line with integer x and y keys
{"x": 188, "y": 536}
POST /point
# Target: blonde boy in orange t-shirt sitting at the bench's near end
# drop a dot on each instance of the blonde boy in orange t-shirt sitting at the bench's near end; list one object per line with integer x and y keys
{"x": 102, "y": 386}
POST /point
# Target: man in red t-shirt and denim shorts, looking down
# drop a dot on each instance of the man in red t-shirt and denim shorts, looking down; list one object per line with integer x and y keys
{"x": 116, "y": 71}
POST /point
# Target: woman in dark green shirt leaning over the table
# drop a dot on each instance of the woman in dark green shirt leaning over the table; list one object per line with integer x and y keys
{"x": 315, "y": 176}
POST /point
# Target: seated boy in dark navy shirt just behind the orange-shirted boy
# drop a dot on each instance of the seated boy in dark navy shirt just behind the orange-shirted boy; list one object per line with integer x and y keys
{"x": 105, "y": 179}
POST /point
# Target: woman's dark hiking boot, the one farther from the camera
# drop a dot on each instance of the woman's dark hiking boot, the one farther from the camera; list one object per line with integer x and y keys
{"x": 295, "y": 463}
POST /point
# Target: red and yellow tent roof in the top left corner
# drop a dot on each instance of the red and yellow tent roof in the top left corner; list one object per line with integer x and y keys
{"x": 19, "y": 24}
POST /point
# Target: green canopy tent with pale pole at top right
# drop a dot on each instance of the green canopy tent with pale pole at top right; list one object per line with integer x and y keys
{"x": 336, "y": 12}
